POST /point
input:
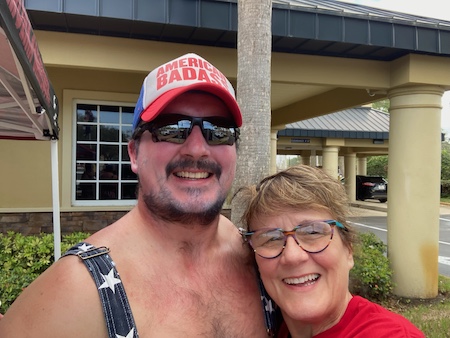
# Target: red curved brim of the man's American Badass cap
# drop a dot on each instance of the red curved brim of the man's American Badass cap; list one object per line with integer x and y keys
{"x": 162, "y": 101}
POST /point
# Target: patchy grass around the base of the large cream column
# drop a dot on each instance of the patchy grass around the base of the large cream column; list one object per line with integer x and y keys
{"x": 432, "y": 316}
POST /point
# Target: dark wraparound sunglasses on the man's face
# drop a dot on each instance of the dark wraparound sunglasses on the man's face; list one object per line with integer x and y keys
{"x": 175, "y": 128}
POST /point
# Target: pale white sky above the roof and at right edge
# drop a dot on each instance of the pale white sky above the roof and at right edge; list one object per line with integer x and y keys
{"x": 430, "y": 8}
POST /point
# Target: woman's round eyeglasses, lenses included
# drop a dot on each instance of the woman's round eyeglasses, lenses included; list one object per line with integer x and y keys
{"x": 312, "y": 237}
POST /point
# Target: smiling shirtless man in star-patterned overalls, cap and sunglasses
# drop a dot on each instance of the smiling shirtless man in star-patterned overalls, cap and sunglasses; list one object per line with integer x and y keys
{"x": 182, "y": 264}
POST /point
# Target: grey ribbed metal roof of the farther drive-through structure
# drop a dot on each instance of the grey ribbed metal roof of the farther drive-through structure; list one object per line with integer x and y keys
{"x": 359, "y": 123}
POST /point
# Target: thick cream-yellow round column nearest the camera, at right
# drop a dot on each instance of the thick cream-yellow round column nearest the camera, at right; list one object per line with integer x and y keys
{"x": 414, "y": 189}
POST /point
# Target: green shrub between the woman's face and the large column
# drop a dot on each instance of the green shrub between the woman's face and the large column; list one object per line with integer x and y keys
{"x": 371, "y": 277}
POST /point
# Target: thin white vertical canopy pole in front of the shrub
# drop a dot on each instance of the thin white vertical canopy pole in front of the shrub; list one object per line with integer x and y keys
{"x": 55, "y": 198}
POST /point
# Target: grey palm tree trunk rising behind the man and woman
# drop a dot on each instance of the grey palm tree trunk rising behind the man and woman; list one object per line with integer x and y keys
{"x": 253, "y": 94}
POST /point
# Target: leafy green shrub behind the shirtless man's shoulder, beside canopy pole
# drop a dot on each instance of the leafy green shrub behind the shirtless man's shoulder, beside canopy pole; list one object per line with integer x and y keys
{"x": 23, "y": 258}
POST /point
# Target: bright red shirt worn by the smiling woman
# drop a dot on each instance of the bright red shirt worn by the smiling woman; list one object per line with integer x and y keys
{"x": 364, "y": 319}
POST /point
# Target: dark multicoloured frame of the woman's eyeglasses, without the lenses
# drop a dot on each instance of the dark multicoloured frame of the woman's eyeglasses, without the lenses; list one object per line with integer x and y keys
{"x": 286, "y": 233}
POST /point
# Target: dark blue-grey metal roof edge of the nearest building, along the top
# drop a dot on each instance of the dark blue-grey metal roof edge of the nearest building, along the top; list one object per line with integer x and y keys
{"x": 316, "y": 27}
